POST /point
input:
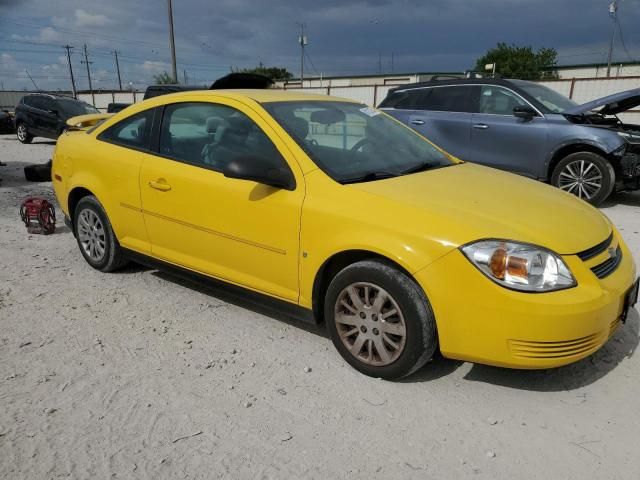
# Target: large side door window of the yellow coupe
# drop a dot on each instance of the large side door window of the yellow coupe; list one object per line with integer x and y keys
{"x": 210, "y": 136}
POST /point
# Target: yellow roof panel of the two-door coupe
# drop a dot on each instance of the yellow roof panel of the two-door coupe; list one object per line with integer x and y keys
{"x": 258, "y": 95}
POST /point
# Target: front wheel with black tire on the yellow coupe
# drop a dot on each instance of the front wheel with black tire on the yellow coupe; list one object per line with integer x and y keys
{"x": 380, "y": 320}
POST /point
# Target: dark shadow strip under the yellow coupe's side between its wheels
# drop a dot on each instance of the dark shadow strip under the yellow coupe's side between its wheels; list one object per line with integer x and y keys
{"x": 240, "y": 297}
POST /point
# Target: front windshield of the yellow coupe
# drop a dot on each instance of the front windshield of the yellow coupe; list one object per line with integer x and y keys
{"x": 352, "y": 142}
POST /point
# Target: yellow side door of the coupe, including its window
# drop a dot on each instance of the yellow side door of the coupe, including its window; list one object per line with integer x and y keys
{"x": 236, "y": 230}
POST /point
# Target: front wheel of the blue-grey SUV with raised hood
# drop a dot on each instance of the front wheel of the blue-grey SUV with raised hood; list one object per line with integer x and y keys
{"x": 587, "y": 175}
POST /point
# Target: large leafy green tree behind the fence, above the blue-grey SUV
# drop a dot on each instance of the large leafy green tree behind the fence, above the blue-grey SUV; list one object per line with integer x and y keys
{"x": 513, "y": 61}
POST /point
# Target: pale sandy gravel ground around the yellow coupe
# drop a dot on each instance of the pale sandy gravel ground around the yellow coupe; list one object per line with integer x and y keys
{"x": 140, "y": 375}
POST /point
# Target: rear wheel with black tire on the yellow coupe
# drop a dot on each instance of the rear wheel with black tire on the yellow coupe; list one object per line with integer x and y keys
{"x": 98, "y": 244}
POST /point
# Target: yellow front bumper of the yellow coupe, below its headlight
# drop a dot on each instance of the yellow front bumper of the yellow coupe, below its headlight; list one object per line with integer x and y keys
{"x": 482, "y": 322}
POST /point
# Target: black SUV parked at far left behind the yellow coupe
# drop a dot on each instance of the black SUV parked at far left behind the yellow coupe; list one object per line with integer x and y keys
{"x": 44, "y": 115}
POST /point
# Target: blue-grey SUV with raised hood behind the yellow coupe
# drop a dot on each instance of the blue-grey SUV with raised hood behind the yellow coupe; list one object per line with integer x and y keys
{"x": 527, "y": 128}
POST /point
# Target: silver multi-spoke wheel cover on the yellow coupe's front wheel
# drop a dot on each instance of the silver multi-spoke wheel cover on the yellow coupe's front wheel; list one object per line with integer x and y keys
{"x": 370, "y": 324}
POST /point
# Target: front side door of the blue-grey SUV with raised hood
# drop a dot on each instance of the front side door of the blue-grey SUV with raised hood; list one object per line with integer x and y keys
{"x": 501, "y": 140}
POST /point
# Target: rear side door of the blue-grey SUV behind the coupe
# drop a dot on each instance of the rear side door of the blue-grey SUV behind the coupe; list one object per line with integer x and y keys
{"x": 441, "y": 114}
